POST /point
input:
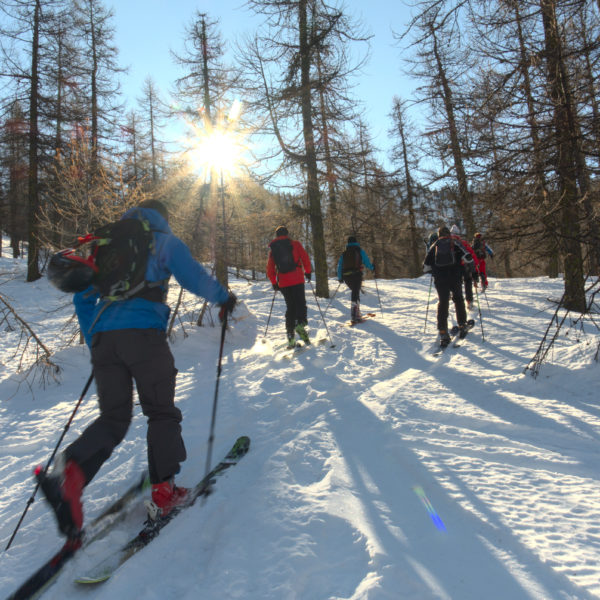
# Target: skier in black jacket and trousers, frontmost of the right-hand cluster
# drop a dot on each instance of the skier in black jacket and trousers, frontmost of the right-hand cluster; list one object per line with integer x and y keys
{"x": 443, "y": 259}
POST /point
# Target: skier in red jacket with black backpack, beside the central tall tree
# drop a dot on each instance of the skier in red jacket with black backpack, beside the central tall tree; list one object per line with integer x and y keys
{"x": 287, "y": 267}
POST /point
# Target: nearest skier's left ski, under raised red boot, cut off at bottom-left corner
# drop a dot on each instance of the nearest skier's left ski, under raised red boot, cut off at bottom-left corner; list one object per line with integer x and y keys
{"x": 99, "y": 527}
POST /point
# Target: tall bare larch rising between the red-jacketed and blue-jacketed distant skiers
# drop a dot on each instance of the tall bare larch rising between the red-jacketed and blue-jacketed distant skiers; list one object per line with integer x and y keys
{"x": 294, "y": 63}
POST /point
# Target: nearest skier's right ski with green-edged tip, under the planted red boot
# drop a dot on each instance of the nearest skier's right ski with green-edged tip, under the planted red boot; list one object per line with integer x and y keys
{"x": 107, "y": 567}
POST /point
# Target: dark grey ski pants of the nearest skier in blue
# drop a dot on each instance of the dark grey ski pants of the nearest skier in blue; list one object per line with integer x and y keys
{"x": 119, "y": 358}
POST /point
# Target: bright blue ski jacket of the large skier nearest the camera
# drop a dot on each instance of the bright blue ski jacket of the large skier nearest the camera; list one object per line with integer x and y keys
{"x": 169, "y": 257}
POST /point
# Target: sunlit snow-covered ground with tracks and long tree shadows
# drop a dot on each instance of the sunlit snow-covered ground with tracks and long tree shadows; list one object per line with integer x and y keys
{"x": 376, "y": 470}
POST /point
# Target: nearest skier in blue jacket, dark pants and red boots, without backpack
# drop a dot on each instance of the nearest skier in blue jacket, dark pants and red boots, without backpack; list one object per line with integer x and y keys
{"x": 128, "y": 343}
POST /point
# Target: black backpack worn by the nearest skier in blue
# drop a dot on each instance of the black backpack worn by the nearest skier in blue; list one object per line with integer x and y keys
{"x": 120, "y": 252}
